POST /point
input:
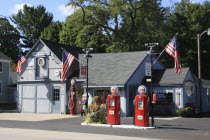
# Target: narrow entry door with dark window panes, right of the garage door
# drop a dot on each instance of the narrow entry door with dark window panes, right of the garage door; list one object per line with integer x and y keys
{"x": 56, "y": 100}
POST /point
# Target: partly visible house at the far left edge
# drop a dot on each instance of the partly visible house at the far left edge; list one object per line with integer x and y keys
{"x": 4, "y": 78}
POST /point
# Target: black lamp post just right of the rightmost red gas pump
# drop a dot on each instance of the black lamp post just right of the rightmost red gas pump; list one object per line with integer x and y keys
{"x": 151, "y": 46}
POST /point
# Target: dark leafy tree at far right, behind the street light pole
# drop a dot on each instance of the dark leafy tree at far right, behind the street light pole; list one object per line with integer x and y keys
{"x": 190, "y": 19}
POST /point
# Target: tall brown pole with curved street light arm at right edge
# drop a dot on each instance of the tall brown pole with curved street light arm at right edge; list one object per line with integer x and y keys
{"x": 199, "y": 65}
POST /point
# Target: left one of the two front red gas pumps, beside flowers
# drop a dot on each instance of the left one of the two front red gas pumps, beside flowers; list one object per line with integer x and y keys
{"x": 113, "y": 107}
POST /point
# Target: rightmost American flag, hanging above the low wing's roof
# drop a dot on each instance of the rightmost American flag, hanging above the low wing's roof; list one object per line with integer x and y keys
{"x": 172, "y": 50}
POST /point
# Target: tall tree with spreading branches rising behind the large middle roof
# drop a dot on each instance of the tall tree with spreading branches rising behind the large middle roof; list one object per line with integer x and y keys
{"x": 118, "y": 19}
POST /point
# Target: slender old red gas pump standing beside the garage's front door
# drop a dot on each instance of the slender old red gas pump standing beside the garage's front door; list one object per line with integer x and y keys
{"x": 72, "y": 100}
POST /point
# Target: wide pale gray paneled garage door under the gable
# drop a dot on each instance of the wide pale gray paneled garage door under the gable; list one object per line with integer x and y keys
{"x": 36, "y": 98}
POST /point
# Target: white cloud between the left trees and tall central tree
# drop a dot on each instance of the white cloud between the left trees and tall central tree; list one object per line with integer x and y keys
{"x": 67, "y": 10}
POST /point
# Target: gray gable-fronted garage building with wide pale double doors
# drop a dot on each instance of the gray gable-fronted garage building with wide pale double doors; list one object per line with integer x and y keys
{"x": 40, "y": 89}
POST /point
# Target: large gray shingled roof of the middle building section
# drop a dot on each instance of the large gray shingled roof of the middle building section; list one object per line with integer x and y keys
{"x": 112, "y": 68}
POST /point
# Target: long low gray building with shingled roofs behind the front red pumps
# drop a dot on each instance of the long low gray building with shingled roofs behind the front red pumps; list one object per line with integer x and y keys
{"x": 127, "y": 71}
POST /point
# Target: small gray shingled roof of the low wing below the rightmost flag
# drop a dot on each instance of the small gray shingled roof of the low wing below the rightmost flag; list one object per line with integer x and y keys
{"x": 170, "y": 77}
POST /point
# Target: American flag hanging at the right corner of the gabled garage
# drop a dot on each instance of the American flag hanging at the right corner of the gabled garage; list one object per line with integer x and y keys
{"x": 67, "y": 60}
